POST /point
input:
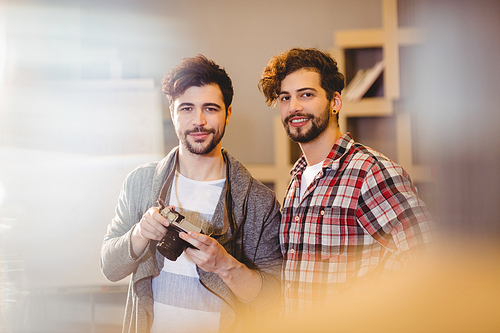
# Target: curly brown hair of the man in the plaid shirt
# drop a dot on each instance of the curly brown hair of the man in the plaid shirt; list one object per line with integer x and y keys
{"x": 298, "y": 58}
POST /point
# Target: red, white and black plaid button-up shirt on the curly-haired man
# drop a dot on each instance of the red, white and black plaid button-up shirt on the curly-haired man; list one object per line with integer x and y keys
{"x": 360, "y": 212}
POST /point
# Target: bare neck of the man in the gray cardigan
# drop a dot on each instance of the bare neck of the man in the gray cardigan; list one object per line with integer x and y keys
{"x": 202, "y": 167}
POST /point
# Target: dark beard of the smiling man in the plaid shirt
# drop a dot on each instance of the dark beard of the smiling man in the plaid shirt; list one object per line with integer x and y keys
{"x": 318, "y": 125}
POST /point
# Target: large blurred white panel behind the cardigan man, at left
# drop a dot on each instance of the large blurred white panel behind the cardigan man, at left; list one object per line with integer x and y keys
{"x": 67, "y": 149}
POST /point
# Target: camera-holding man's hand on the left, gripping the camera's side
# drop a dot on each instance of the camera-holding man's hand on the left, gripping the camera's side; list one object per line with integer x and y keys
{"x": 152, "y": 226}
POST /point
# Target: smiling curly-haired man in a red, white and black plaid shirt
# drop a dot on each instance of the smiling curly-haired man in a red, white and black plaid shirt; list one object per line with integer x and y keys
{"x": 349, "y": 212}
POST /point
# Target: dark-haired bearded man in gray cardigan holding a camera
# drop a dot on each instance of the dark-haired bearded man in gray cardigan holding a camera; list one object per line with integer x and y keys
{"x": 229, "y": 274}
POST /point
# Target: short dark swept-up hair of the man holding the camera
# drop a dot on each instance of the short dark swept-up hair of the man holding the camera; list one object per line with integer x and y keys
{"x": 197, "y": 71}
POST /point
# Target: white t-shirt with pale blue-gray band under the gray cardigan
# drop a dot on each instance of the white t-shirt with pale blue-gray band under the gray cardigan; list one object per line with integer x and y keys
{"x": 181, "y": 303}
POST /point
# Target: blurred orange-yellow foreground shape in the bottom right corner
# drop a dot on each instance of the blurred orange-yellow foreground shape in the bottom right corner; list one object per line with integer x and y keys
{"x": 456, "y": 290}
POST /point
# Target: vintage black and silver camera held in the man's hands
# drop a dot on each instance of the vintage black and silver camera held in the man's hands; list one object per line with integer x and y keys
{"x": 171, "y": 245}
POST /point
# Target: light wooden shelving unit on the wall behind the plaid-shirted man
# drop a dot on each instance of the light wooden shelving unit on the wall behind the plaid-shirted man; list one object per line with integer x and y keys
{"x": 389, "y": 39}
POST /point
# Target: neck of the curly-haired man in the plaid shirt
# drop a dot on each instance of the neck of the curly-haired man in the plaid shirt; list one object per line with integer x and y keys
{"x": 317, "y": 150}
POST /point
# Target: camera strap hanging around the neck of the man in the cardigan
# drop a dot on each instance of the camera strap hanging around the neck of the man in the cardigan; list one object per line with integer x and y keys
{"x": 228, "y": 215}
